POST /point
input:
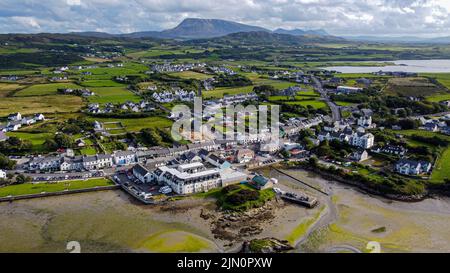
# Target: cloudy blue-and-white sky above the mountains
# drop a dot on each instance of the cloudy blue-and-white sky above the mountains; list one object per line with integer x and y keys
{"x": 423, "y": 18}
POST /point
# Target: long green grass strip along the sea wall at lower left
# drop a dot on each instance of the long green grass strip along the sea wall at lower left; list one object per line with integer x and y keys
{"x": 29, "y": 188}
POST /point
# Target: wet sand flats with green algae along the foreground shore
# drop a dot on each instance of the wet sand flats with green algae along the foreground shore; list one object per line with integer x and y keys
{"x": 113, "y": 222}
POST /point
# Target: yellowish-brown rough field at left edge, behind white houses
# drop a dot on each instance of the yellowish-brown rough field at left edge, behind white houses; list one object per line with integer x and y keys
{"x": 41, "y": 104}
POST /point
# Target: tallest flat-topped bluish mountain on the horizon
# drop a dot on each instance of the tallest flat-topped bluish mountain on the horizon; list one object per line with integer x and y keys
{"x": 193, "y": 28}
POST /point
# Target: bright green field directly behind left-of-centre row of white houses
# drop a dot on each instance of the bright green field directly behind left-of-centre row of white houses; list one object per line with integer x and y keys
{"x": 104, "y": 95}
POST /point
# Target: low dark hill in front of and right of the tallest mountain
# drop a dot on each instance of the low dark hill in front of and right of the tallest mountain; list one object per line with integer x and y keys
{"x": 266, "y": 38}
